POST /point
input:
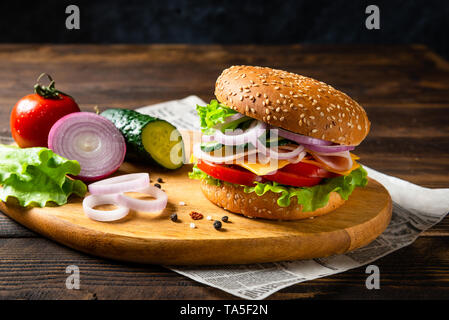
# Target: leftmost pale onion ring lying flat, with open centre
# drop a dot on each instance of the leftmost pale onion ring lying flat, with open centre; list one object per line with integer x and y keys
{"x": 91, "y": 201}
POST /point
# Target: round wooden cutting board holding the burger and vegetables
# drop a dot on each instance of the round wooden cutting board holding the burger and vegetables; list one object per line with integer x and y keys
{"x": 154, "y": 238}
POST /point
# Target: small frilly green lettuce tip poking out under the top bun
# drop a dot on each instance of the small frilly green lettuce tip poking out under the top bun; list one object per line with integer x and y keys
{"x": 212, "y": 114}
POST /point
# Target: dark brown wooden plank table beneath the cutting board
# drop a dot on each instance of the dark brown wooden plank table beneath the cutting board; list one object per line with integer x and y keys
{"x": 405, "y": 90}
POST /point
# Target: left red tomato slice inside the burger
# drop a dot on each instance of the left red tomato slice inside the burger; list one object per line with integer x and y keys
{"x": 229, "y": 173}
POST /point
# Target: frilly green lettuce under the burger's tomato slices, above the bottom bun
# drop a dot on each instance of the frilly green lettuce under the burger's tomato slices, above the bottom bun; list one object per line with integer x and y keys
{"x": 311, "y": 198}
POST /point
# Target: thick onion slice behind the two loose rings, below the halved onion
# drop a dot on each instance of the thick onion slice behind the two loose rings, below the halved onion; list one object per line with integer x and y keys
{"x": 120, "y": 184}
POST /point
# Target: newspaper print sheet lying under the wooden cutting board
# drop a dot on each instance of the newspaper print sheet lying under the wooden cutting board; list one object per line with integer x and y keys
{"x": 415, "y": 209}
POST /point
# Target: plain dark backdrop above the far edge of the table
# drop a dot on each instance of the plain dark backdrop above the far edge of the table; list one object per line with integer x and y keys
{"x": 274, "y": 22}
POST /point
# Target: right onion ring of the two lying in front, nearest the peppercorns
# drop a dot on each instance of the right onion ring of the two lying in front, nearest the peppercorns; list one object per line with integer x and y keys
{"x": 145, "y": 205}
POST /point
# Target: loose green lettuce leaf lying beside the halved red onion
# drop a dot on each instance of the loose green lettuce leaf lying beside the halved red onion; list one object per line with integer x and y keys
{"x": 37, "y": 176}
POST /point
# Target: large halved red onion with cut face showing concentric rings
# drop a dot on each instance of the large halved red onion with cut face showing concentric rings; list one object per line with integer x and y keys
{"x": 90, "y": 139}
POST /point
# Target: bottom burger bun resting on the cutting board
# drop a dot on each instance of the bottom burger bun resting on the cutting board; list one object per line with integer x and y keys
{"x": 234, "y": 199}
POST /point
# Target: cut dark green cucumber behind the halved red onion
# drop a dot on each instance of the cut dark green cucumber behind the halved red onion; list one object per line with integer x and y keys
{"x": 148, "y": 138}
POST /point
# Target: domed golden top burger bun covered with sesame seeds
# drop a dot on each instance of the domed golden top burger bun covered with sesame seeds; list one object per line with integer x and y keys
{"x": 293, "y": 102}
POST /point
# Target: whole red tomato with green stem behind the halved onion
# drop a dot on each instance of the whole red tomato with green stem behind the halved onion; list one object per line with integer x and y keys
{"x": 34, "y": 115}
